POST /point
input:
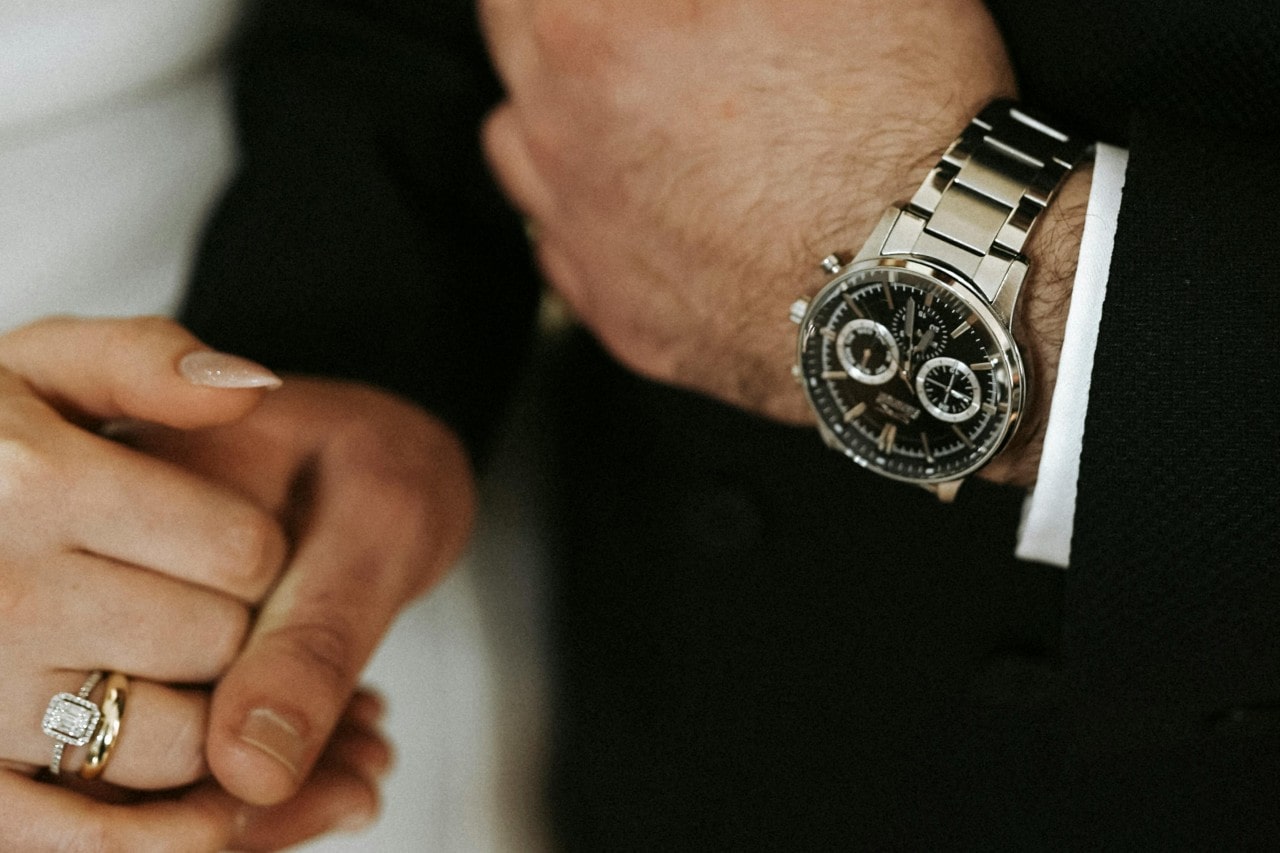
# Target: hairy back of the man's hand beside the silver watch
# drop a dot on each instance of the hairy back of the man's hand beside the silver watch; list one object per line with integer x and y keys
{"x": 687, "y": 163}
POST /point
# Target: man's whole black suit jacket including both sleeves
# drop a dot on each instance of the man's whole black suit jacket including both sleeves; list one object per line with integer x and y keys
{"x": 757, "y": 645}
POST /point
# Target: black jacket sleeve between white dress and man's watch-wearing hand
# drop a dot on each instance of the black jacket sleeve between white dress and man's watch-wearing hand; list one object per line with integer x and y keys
{"x": 363, "y": 236}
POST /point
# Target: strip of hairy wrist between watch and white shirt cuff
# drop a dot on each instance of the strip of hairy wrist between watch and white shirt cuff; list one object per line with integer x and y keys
{"x": 1041, "y": 321}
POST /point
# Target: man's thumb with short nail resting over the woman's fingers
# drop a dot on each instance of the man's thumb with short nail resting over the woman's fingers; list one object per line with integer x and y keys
{"x": 382, "y": 527}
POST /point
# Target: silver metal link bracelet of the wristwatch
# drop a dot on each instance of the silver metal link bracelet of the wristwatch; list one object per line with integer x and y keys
{"x": 979, "y": 206}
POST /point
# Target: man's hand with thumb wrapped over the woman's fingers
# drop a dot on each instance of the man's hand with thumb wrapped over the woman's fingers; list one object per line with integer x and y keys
{"x": 378, "y": 500}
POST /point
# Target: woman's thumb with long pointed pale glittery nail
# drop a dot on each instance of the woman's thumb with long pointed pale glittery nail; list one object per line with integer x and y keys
{"x": 141, "y": 368}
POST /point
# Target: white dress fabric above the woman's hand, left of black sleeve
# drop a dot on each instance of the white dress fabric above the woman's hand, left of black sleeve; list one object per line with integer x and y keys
{"x": 115, "y": 142}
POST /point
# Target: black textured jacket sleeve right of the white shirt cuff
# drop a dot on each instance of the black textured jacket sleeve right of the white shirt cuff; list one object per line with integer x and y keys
{"x": 1188, "y": 572}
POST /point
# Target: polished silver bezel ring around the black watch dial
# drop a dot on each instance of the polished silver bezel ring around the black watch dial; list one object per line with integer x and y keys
{"x": 968, "y": 294}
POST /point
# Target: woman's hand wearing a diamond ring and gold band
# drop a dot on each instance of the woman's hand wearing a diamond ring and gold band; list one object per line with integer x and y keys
{"x": 112, "y": 560}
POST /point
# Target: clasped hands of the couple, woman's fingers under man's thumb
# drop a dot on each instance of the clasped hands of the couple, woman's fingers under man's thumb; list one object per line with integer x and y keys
{"x": 118, "y": 562}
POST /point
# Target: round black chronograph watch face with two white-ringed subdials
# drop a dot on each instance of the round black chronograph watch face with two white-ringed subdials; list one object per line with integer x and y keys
{"x": 911, "y": 375}
